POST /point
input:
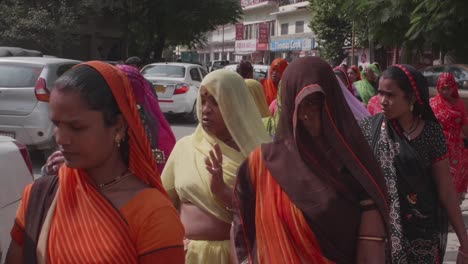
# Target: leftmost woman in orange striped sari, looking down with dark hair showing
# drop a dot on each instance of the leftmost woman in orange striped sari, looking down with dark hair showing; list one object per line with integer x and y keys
{"x": 107, "y": 203}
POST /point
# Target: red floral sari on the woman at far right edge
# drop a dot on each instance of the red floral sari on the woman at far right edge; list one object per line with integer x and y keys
{"x": 453, "y": 117}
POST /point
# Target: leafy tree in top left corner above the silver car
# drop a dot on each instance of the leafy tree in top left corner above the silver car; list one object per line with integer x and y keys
{"x": 44, "y": 24}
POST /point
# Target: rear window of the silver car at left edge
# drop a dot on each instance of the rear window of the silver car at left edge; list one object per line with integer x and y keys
{"x": 17, "y": 76}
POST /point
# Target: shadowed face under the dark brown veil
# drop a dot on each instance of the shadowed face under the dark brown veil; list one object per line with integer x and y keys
{"x": 310, "y": 113}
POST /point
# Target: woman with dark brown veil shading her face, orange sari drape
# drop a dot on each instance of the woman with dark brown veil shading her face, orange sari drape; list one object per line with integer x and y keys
{"x": 314, "y": 195}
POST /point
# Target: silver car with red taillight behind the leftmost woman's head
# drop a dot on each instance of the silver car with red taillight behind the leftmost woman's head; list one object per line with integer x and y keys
{"x": 25, "y": 85}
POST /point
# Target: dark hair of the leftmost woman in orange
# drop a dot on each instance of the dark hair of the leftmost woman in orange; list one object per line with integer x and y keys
{"x": 96, "y": 94}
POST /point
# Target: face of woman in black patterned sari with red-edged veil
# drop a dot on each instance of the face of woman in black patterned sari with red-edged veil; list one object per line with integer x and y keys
{"x": 393, "y": 99}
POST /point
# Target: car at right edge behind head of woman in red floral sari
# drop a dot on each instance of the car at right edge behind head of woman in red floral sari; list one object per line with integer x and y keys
{"x": 459, "y": 71}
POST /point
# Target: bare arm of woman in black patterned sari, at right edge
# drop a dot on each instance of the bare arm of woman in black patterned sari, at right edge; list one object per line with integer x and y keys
{"x": 448, "y": 198}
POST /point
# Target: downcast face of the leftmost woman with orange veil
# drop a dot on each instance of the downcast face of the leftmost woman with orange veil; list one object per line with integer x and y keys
{"x": 81, "y": 133}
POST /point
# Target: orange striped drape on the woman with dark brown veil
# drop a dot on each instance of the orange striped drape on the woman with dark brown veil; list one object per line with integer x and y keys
{"x": 282, "y": 233}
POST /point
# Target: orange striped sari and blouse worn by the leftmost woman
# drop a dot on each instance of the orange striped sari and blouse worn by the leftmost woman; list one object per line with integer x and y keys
{"x": 84, "y": 226}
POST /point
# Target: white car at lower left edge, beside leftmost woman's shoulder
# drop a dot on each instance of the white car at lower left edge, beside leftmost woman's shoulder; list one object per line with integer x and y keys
{"x": 16, "y": 174}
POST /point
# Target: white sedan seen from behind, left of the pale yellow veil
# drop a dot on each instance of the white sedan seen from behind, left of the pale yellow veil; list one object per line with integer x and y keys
{"x": 176, "y": 85}
